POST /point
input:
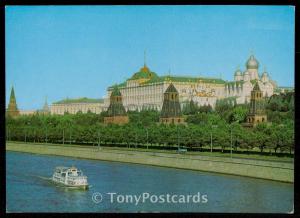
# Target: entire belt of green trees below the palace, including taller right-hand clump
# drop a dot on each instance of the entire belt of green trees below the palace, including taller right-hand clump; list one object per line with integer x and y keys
{"x": 206, "y": 130}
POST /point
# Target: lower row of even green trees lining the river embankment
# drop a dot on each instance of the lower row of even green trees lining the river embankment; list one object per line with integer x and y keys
{"x": 143, "y": 130}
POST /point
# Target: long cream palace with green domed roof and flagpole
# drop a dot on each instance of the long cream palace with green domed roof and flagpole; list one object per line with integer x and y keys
{"x": 145, "y": 90}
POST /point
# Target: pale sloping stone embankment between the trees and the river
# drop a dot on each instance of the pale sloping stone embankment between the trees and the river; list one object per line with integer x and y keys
{"x": 272, "y": 170}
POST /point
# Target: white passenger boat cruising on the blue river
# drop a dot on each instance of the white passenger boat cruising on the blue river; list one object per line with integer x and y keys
{"x": 70, "y": 176}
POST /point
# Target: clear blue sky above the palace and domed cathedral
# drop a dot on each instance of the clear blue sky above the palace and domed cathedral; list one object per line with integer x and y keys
{"x": 79, "y": 51}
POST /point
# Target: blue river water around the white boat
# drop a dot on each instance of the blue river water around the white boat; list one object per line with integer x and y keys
{"x": 28, "y": 189}
